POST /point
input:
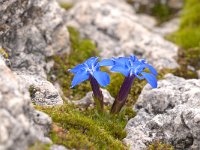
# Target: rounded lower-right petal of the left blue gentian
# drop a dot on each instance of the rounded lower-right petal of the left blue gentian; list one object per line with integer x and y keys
{"x": 102, "y": 78}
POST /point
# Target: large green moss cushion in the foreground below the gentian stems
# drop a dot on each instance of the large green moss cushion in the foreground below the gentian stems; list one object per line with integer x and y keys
{"x": 87, "y": 129}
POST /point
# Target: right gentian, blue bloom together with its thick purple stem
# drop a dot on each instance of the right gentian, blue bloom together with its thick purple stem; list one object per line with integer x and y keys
{"x": 130, "y": 67}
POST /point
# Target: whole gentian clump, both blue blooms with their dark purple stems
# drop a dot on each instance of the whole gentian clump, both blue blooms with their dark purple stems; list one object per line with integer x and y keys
{"x": 130, "y": 67}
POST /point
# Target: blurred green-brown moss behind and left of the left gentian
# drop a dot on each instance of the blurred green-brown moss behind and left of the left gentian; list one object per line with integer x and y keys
{"x": 81, "y": 49}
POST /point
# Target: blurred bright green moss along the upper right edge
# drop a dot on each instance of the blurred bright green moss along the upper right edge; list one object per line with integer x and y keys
{"x": 188, "y": 35}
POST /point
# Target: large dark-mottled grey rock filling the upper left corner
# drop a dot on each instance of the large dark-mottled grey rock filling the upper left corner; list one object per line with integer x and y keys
{"x": 30, "y": 30}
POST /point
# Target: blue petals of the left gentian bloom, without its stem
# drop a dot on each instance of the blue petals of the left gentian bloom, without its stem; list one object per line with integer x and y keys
{"x": 90, "y": 68}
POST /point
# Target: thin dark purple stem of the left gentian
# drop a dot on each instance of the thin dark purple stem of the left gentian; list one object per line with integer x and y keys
{"x": 97, "y": 93}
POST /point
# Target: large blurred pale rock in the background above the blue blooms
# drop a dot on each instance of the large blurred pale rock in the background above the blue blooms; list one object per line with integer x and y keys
{"x": 117, "y": 30}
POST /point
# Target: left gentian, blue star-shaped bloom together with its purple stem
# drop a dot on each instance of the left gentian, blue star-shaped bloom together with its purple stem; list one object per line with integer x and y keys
{"x": 90, "y": 69}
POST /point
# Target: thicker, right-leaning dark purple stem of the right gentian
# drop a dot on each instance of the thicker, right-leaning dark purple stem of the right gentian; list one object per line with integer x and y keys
{"x": 121, "y": 98}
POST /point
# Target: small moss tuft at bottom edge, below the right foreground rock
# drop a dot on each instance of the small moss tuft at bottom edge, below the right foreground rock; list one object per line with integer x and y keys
{"x": 160, "y": 146}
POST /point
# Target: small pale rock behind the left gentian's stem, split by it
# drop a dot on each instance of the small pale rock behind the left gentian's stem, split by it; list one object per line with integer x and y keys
{"x": 88, "y": 100}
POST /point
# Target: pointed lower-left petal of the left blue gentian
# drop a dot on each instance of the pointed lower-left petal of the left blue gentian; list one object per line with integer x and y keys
{"x": 79, "y": 77}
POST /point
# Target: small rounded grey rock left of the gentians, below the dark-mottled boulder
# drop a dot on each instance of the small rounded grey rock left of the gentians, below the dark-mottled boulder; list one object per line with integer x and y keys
{"x": 43, "y": 92}
